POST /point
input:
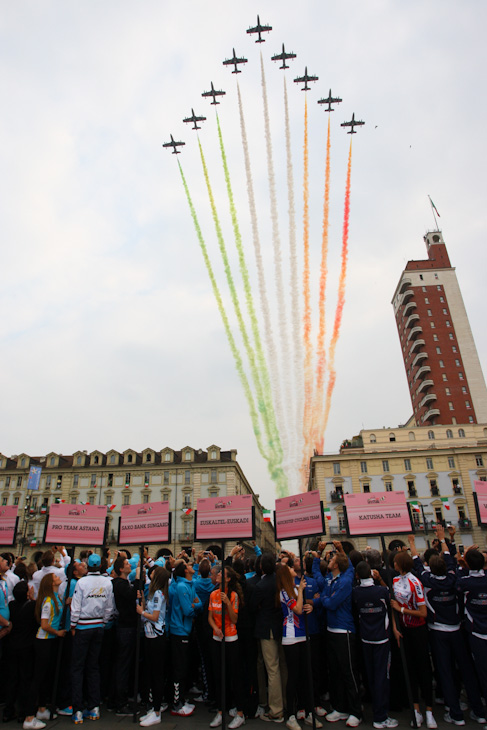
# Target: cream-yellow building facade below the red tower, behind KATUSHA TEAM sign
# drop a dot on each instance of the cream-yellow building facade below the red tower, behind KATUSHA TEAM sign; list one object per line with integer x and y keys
{"x": 426, "y": 463}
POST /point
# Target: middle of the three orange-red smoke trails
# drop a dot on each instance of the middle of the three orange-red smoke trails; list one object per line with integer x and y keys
{"x": 318, "y": 433}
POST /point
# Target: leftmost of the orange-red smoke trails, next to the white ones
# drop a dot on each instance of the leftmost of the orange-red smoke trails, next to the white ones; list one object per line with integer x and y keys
{"x": 308, "y": 375}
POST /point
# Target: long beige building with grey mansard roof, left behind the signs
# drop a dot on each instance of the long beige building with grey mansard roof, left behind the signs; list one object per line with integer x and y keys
{"x": 128, "y": 477}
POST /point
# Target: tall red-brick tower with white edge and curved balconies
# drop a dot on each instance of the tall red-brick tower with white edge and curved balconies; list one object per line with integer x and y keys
{"x": 444, "y": 375}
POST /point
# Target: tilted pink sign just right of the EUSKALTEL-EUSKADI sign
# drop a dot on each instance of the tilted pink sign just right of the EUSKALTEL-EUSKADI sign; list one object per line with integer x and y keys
{"x": 299, "y": 516}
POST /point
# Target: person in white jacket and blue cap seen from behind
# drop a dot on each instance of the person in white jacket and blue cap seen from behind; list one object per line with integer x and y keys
{"x": 92, "y": 607}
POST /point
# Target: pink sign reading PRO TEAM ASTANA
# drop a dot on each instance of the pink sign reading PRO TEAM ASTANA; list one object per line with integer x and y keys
{"x": 76, "y": 524}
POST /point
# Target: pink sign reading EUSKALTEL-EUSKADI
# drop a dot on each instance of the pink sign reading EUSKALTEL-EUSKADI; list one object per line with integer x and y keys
{"x": 224, "y": 518}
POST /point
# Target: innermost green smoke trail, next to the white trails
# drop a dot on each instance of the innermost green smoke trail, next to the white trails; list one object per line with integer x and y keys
{"x": 268, "y": 412}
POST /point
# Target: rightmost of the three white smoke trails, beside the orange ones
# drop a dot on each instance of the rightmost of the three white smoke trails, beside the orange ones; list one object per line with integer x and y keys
{"x": 297, "y": 399}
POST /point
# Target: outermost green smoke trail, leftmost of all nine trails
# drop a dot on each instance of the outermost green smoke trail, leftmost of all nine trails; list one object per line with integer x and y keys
{"x": 236, "y": 355}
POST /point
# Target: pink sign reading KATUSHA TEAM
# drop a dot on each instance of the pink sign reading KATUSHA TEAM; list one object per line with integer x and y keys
{"x": 377, "y": 513}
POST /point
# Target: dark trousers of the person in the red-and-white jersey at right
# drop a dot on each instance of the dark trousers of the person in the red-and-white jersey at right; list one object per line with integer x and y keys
{"x": 418, "y": 662}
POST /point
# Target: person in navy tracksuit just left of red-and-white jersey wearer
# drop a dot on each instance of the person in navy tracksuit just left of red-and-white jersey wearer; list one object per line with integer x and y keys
{"x": 372, "y": 604}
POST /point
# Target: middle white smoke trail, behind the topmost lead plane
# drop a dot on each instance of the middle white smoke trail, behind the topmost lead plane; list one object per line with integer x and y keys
{"x": 281, "y": 306}
